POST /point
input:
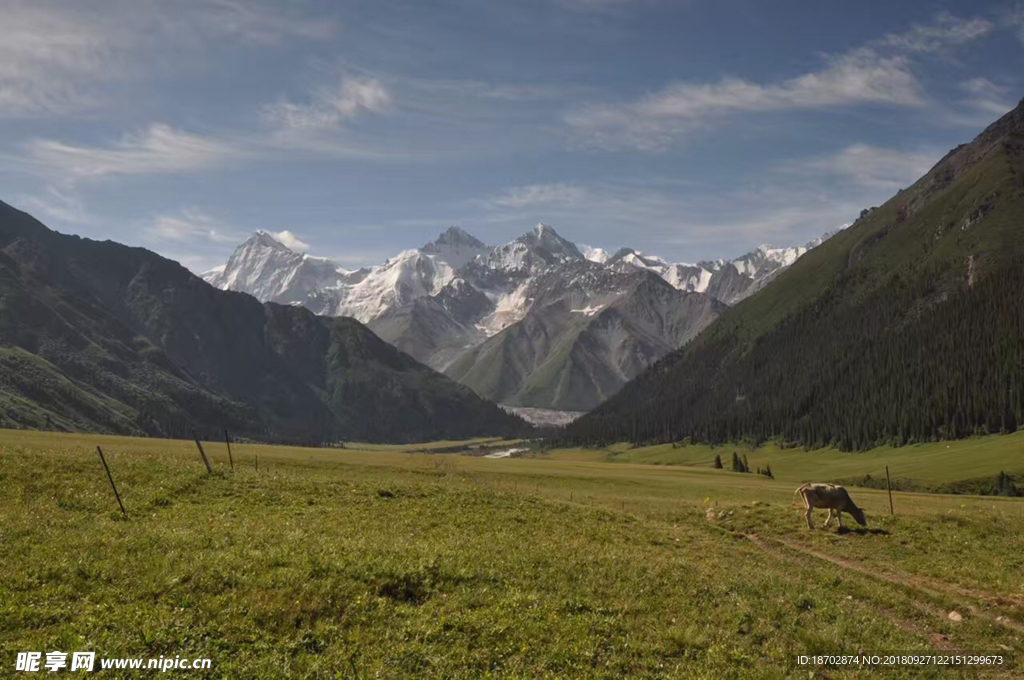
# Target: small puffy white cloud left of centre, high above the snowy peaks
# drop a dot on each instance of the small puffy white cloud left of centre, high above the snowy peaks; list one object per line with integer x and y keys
{"x": 332, "y": 107}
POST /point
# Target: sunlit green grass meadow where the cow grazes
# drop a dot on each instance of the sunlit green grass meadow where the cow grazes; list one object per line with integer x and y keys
{"x": 377, "y": 563}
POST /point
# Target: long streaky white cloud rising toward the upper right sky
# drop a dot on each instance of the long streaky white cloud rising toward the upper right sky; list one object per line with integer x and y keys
{"x": 655, "y": 122}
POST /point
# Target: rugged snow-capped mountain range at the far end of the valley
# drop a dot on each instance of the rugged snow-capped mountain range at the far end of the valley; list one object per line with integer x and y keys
{"x": 538, "y": 322}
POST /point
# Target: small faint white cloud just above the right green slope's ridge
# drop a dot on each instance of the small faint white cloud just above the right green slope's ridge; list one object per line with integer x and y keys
{"x": 873, "y": 167}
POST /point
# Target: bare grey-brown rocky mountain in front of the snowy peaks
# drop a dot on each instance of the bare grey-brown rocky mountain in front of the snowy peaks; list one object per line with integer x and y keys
{"x": 575, "y": 349}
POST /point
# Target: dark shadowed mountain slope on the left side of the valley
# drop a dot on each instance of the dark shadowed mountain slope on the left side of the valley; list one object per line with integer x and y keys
{"x": 100, "y": 336}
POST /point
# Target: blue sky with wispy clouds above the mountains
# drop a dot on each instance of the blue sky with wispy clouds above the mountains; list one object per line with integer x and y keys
{"x": 691, "y": 130}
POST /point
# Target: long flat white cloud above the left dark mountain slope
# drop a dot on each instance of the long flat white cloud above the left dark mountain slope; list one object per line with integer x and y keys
{"x": 157, "y": 150}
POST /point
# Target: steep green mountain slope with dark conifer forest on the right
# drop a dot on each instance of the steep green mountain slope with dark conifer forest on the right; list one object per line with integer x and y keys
{"x": 908, "y": 326}
